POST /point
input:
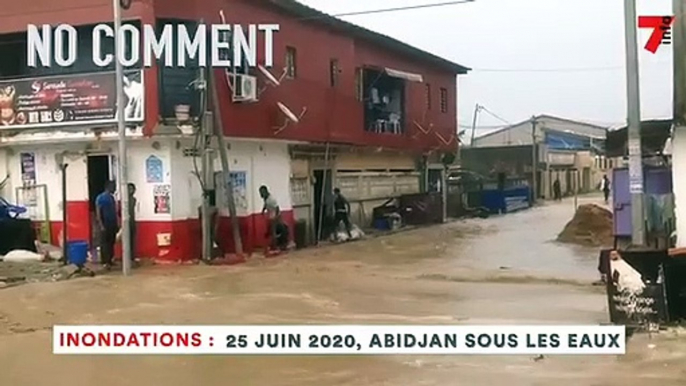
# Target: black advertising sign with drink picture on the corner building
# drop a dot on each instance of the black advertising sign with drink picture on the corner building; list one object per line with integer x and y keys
{"x": 69, "y": 100}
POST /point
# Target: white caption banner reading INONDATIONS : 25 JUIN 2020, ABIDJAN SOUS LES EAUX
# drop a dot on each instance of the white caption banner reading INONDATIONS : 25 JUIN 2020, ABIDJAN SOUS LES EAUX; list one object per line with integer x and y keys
{"x": 337, "y": 340}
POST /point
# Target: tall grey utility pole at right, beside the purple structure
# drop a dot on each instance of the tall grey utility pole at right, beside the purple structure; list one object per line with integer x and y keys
{"x": 634, "y": 125}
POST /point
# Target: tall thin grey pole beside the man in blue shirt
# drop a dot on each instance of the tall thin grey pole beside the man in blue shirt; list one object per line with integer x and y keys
{"x": 121, "y": 125}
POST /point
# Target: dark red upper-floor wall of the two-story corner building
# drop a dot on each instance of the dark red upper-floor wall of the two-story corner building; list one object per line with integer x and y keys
{"x": 333, "y": 113}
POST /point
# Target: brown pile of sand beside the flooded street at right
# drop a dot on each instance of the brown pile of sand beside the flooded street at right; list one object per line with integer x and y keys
{"x": 591, "y": 225}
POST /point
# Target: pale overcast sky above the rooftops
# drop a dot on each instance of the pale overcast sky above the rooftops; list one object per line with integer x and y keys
{"x": 507, "y": 36}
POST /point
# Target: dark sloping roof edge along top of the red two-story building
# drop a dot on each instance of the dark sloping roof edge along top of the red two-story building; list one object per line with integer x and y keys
{"x": 312, "y": 15}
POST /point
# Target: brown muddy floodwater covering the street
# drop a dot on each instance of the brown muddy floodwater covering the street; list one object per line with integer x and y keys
{"x": 501, "y": 270}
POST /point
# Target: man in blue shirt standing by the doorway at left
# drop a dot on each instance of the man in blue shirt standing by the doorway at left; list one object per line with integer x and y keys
{"x": 106, "y": 211}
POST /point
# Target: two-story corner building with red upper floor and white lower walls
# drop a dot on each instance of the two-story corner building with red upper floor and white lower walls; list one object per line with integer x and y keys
{"x": 378, "y": 115}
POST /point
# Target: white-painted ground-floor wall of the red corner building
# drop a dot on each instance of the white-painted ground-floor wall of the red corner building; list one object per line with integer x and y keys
{"x": 263, "y": 163}
